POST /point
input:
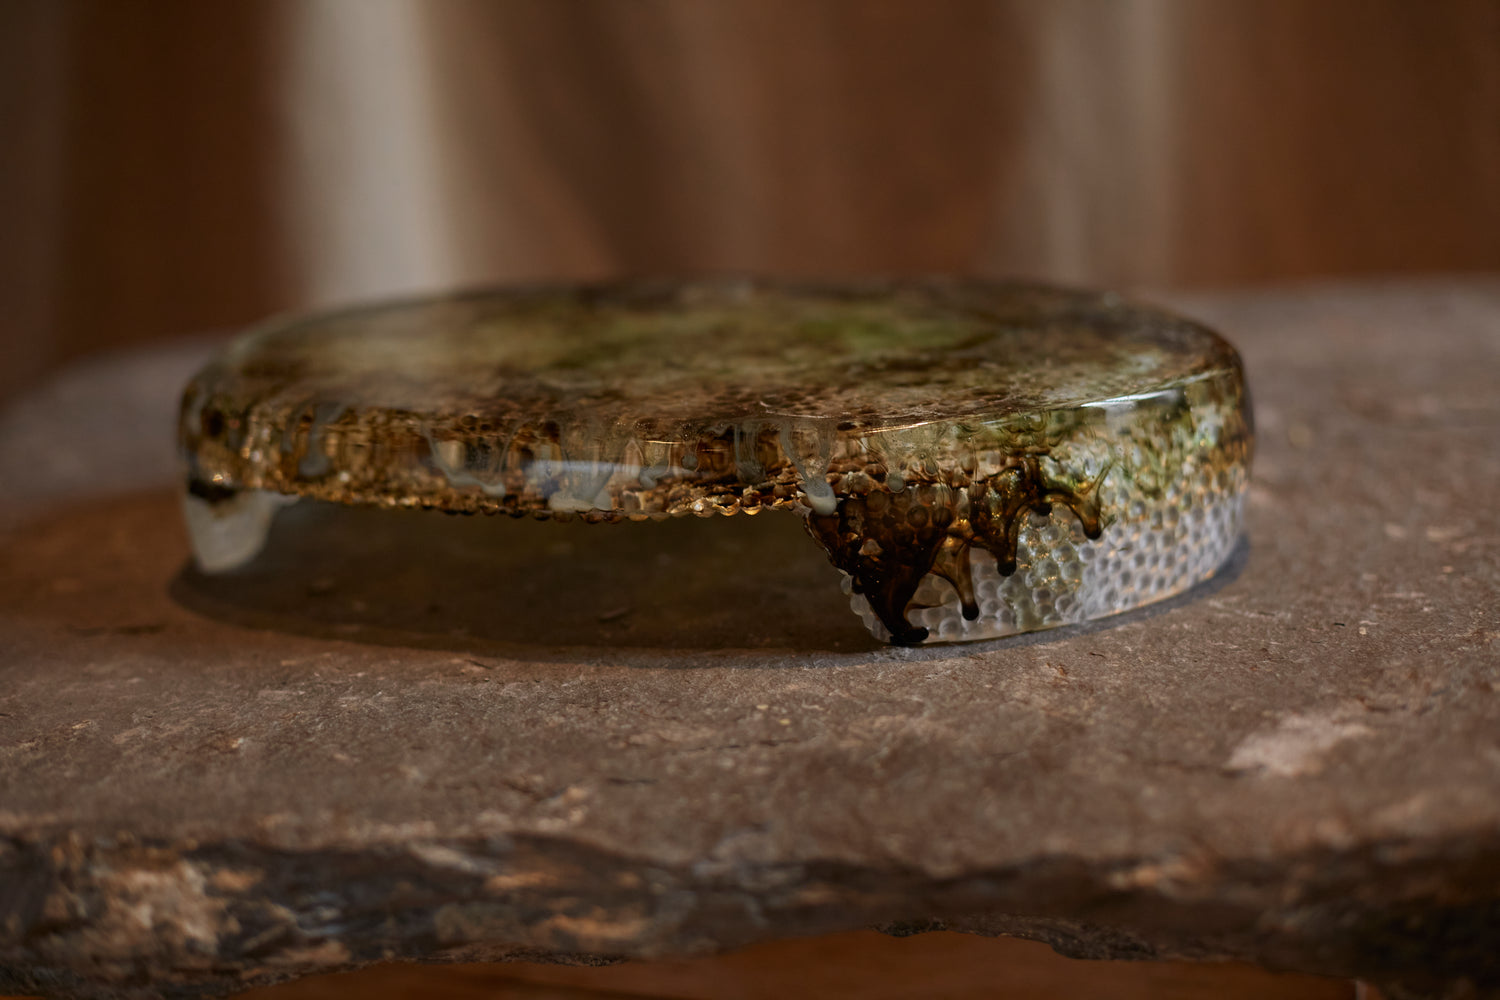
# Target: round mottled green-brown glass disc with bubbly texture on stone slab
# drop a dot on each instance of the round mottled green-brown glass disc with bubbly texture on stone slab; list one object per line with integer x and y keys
{"x": 979, "y": 460}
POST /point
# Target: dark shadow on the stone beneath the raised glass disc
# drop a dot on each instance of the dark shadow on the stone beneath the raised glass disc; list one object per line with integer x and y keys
{"x": 533, "y": 588}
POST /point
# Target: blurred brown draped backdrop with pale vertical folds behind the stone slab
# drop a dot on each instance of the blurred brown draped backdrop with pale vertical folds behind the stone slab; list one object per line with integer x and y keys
{"x": 176, "y": 166}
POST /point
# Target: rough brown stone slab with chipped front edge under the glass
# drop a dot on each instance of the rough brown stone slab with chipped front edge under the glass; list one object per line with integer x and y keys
{"x": 412, "y": 735}
